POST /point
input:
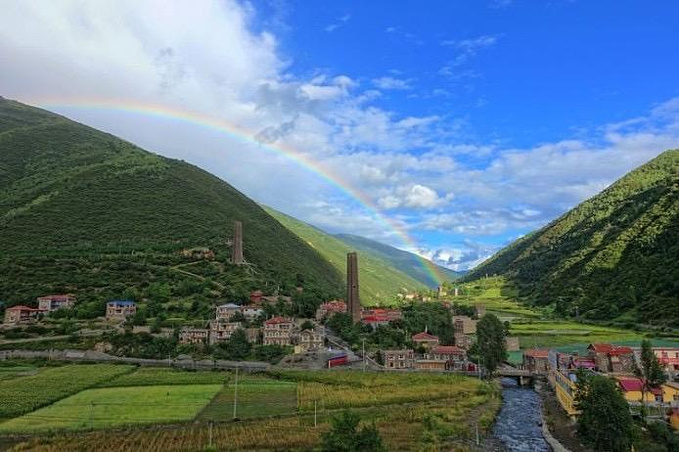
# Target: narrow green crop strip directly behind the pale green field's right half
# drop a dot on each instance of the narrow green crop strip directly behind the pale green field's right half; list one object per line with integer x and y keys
{"x": 152, "y": 376}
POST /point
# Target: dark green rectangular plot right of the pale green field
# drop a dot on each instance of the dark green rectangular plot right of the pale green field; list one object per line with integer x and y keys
{"x": 257, "y": 397}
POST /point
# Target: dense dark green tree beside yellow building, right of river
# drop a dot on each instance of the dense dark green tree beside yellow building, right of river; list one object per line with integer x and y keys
{"x": 605, "y": 422}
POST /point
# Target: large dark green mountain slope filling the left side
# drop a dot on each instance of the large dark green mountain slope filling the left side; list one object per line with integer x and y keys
{"x": 85, "y": 212}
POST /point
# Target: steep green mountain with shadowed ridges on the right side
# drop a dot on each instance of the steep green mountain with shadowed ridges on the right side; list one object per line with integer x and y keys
{"x": 612, "y": 257}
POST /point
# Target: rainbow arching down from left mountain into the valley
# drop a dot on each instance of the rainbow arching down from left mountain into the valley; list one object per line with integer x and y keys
{"x": 246, "y": 136}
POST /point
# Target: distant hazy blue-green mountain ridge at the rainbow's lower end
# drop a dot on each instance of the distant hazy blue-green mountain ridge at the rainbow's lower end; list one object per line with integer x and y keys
{"x": 408, "y": 263}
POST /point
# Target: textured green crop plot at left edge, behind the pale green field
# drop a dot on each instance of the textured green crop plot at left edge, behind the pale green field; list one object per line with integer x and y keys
{"x": 25, "y": 394}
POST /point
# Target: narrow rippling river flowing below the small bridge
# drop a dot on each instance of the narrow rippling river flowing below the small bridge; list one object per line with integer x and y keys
{"x": 518, "y": 424}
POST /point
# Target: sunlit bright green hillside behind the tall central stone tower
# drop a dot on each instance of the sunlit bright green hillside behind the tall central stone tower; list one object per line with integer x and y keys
{"x": 379, "y": 280}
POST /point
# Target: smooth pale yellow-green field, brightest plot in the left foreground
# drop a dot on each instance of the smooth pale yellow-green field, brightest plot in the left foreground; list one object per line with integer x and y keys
{"x": 111, "y": 407}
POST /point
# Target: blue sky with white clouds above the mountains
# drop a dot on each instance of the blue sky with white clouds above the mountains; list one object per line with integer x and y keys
{"x": 462, "y": 125}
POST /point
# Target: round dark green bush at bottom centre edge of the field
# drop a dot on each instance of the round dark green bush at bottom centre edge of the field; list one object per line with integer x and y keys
{"x": 345, "y": 435}
